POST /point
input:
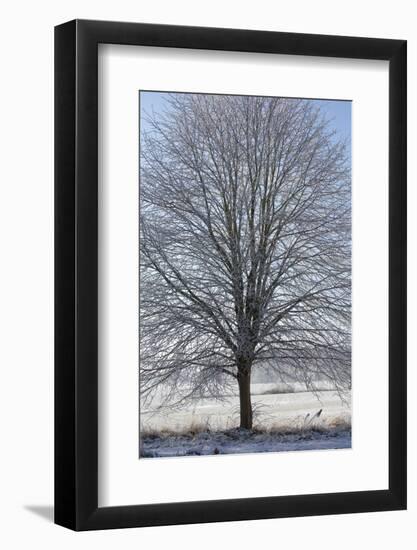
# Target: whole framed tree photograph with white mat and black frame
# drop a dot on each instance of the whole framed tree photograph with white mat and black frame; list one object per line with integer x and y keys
{"x": 230, "y": 248}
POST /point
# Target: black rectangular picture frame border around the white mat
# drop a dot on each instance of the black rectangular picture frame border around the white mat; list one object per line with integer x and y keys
{"x": 76, "y": 272}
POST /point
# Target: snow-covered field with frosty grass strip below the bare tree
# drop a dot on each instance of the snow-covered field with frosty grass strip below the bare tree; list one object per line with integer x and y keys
{"x": 282, "y": 422}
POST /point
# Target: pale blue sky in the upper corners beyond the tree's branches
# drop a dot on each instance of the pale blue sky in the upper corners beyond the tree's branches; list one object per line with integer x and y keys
{"x": 337, "y": 112}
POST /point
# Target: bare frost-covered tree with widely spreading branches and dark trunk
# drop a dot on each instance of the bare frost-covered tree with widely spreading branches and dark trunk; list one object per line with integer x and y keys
{"x": 245, "y": 245}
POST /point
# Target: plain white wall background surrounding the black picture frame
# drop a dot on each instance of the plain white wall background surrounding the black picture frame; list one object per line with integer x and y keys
{"x": 26, "y": 273}
